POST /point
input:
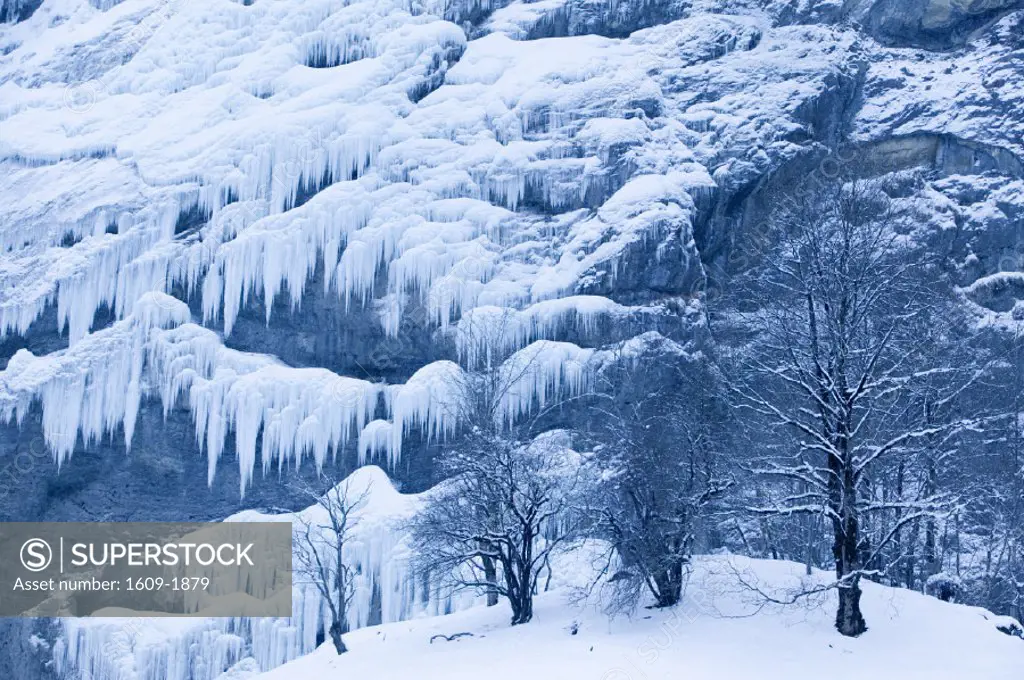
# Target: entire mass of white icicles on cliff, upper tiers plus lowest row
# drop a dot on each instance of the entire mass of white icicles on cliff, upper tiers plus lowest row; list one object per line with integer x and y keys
{"x": 375, "y": 193}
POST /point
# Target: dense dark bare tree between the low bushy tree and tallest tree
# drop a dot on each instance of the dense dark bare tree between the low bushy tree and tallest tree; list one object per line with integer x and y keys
{"x": 660, "y": 446}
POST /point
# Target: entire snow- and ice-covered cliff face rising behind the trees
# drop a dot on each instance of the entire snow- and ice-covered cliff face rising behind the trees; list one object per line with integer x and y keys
{"x": 244, "y": 238}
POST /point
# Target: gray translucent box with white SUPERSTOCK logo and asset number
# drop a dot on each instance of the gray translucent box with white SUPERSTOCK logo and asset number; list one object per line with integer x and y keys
{"x": 146, "y": 570}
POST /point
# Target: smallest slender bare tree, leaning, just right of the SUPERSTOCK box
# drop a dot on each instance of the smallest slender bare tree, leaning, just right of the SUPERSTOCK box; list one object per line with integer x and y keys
{"x": 322, "y": 534}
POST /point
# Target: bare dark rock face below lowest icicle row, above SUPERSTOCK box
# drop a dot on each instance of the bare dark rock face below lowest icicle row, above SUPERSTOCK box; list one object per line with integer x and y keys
{"x": 163, "y": 479}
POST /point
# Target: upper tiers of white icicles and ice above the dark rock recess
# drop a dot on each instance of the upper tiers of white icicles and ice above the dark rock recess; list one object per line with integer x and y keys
{"x": 362, "y": 188}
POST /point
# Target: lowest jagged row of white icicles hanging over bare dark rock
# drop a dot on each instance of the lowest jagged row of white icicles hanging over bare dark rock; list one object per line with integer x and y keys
{"x": 98, "y": 387}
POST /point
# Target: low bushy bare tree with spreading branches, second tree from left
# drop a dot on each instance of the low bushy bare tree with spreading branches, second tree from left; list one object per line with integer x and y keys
{"x": 495, "y": 526}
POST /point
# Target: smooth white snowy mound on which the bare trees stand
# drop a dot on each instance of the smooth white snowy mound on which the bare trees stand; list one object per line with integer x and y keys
{"x": 722, "y": 631}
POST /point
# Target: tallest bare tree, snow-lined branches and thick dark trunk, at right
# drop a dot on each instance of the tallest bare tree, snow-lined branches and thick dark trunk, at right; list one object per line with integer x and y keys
{"x": 837, "y": 363}
